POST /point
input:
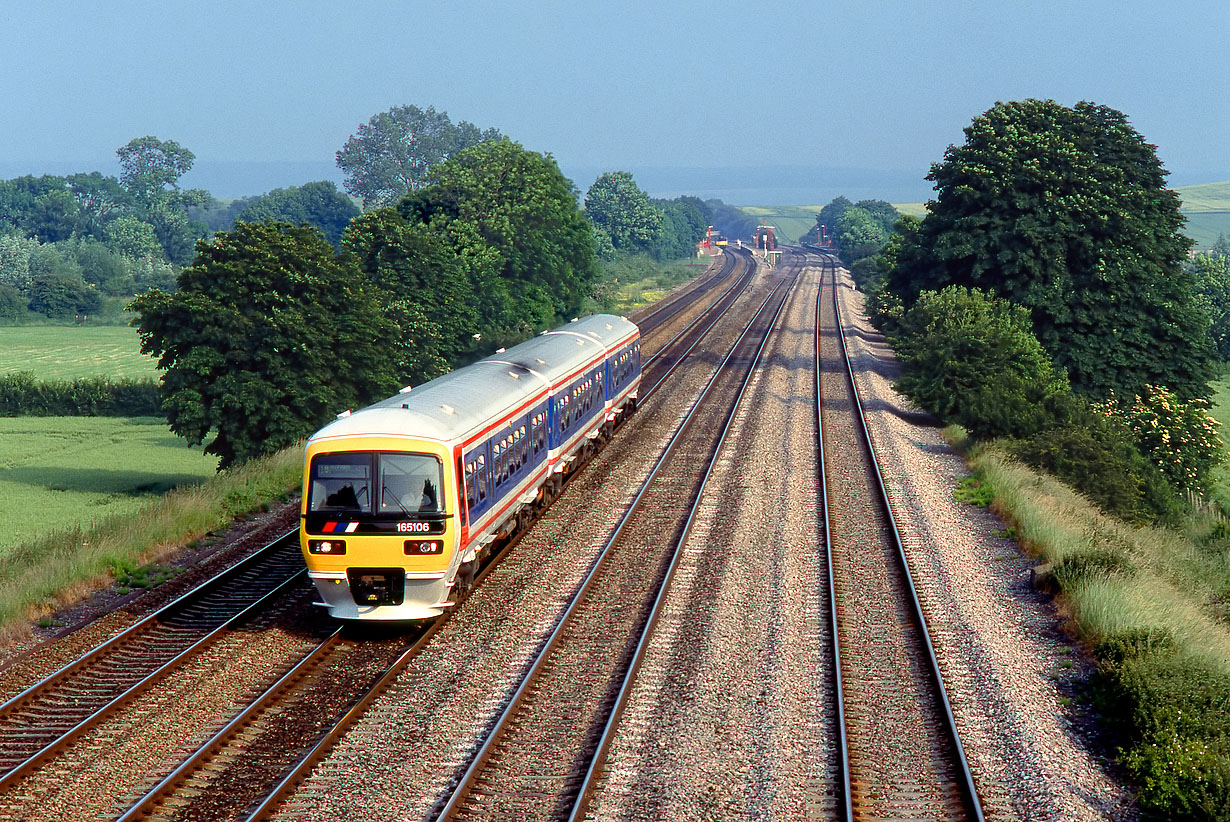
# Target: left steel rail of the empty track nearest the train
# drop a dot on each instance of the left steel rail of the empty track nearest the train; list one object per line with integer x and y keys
{"x": 480, "y": 759}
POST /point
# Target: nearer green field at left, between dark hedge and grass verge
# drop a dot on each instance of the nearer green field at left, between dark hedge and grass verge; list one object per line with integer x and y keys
{"x": 62, "y": 472}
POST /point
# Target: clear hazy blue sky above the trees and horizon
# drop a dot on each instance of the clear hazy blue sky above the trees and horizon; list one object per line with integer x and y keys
{"x": 871, "y": 92}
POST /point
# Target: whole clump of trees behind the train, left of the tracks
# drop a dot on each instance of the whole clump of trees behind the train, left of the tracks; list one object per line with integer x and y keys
{"x": 467, "y": 243}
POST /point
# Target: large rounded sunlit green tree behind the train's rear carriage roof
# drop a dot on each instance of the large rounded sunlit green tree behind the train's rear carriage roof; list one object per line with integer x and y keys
{"x": 511, "y": 220}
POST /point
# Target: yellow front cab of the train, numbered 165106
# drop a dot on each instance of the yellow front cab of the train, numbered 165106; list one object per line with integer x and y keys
{"x": 381, "y": 526}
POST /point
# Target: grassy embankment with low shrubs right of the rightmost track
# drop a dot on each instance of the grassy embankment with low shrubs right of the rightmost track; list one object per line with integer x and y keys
{"x": 1152, "y": 606}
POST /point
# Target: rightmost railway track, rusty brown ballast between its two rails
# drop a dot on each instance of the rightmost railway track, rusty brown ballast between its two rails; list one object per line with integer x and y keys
{"x": 902, "y": 755}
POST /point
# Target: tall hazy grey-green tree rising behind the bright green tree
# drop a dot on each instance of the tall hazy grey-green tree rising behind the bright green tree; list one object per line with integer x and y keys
{"x": 389, "y": 157}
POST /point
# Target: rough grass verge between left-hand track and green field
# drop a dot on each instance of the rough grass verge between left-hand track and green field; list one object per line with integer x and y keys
{"x": 58, "y": 568}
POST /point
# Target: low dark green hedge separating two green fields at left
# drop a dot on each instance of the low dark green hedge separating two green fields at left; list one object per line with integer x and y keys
{"x": 97, "y": 397}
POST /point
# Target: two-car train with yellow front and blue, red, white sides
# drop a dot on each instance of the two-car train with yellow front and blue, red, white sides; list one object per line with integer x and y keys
{"x": 405, "y": 499}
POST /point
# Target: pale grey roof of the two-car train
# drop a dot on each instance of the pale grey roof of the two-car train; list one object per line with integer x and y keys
{"x": 461, "y": 403}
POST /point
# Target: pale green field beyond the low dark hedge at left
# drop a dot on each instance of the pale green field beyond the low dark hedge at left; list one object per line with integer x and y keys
{"x": 72, "y": 353}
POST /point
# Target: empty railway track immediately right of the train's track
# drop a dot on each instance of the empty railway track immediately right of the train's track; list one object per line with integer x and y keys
{"x": 539, "y": 760}
